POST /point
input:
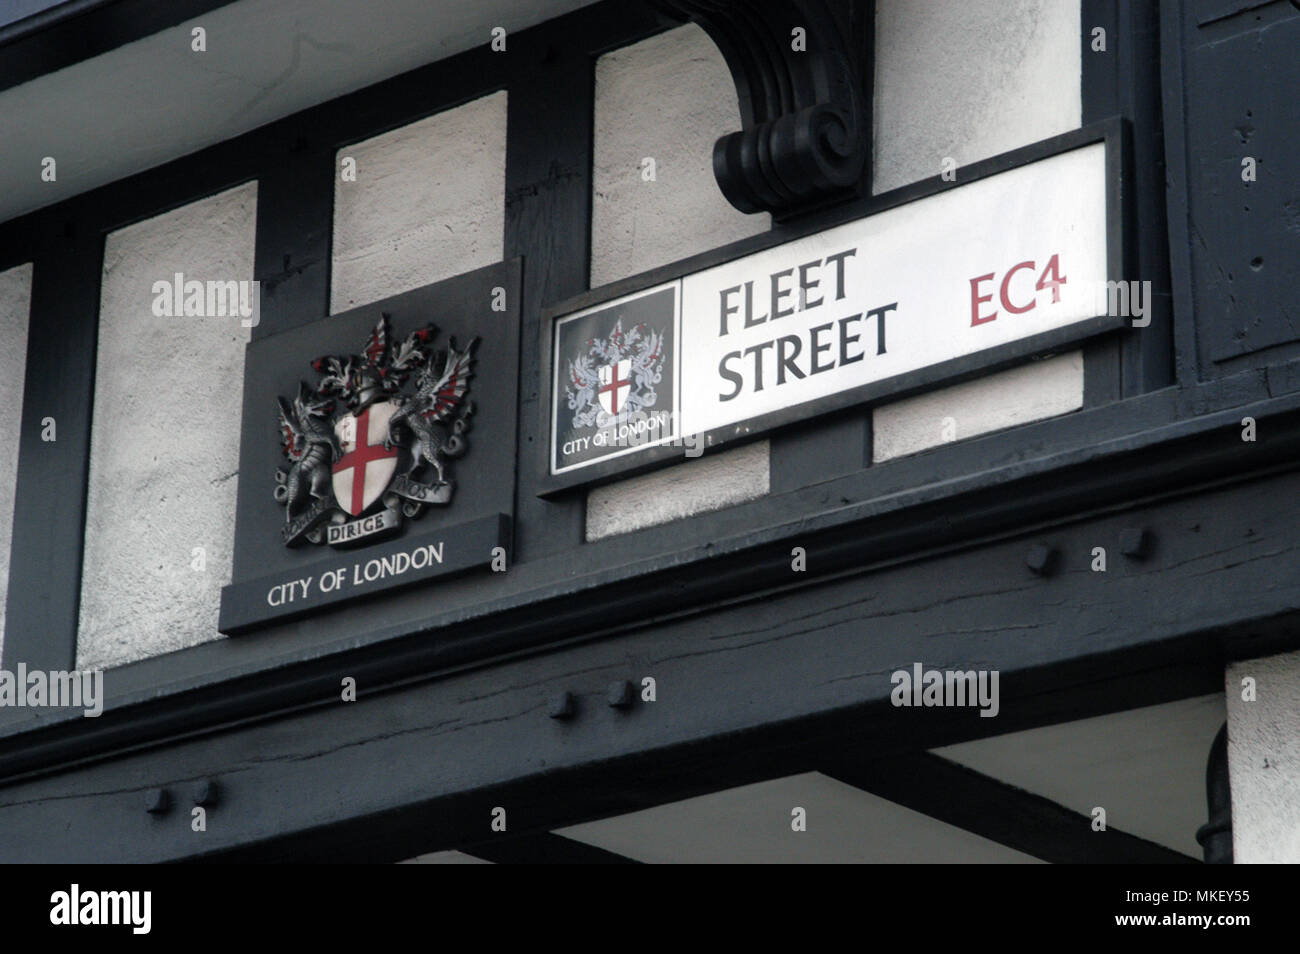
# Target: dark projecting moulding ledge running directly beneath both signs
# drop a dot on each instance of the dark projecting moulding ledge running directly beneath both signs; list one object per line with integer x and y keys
{"x": 1097, "y": 458}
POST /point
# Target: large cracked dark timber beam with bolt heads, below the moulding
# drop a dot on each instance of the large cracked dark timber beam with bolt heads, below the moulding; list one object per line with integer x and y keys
{"x": 418, "y": 767}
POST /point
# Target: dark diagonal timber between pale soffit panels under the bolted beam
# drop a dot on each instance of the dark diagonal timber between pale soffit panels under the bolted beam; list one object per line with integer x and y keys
{"x": 999, "y": 812}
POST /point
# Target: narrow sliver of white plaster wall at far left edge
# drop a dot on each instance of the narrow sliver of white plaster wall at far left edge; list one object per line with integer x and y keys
{"x": 15, "y": 306}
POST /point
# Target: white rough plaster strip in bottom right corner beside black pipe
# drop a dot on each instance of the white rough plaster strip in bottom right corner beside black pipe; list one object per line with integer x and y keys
{"x": 1264, "y": 760}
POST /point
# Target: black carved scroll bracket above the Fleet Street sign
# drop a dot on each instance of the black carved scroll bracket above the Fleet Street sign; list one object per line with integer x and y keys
{"x": 803, "y": 72}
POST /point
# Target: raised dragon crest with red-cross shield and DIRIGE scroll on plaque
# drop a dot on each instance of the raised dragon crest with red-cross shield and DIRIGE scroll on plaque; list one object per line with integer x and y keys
{"x": 371, "y": 444}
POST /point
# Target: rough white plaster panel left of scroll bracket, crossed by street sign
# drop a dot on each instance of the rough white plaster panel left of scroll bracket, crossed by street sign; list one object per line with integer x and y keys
{"x": 668, "y": 98}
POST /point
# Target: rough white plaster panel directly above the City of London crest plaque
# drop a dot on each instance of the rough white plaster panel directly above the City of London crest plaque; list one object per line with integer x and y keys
{"x": 428, "y": 203}
